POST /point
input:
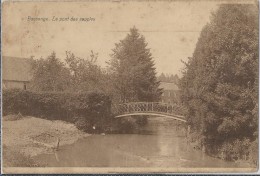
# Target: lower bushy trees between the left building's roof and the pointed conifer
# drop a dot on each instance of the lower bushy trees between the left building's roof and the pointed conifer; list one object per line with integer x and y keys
{"x": 75, "y": 74}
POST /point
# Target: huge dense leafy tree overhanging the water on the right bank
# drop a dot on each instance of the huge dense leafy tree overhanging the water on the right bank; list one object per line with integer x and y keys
{"x": 220, "y": 83}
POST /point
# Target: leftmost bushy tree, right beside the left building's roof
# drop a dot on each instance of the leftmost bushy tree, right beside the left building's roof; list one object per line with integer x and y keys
{"x": 50, "y": 74}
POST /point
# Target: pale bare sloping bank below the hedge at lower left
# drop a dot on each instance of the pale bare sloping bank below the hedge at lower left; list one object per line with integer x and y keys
{"x": 25, "y": 137}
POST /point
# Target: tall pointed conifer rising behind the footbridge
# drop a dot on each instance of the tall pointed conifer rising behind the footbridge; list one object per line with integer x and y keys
{"x": 133, "y": 69}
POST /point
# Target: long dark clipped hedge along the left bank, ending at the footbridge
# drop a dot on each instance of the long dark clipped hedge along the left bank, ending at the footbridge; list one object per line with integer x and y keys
{"x": 87, "y": 110}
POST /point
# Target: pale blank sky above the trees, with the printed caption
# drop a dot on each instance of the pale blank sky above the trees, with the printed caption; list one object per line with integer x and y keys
{"x": 171, "y": 29}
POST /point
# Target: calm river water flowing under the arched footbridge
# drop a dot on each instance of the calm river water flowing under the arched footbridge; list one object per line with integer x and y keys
{"x": 159, "y": 144}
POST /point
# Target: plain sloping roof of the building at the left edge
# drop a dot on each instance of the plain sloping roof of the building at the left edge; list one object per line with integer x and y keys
{"x": 16, "y": 69}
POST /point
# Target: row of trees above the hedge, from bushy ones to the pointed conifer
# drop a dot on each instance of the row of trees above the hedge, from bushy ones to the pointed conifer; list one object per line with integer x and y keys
{"x": 130, "y": 75}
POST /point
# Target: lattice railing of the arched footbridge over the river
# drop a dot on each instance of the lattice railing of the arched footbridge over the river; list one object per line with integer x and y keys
{"x": 159, "y": 107}
